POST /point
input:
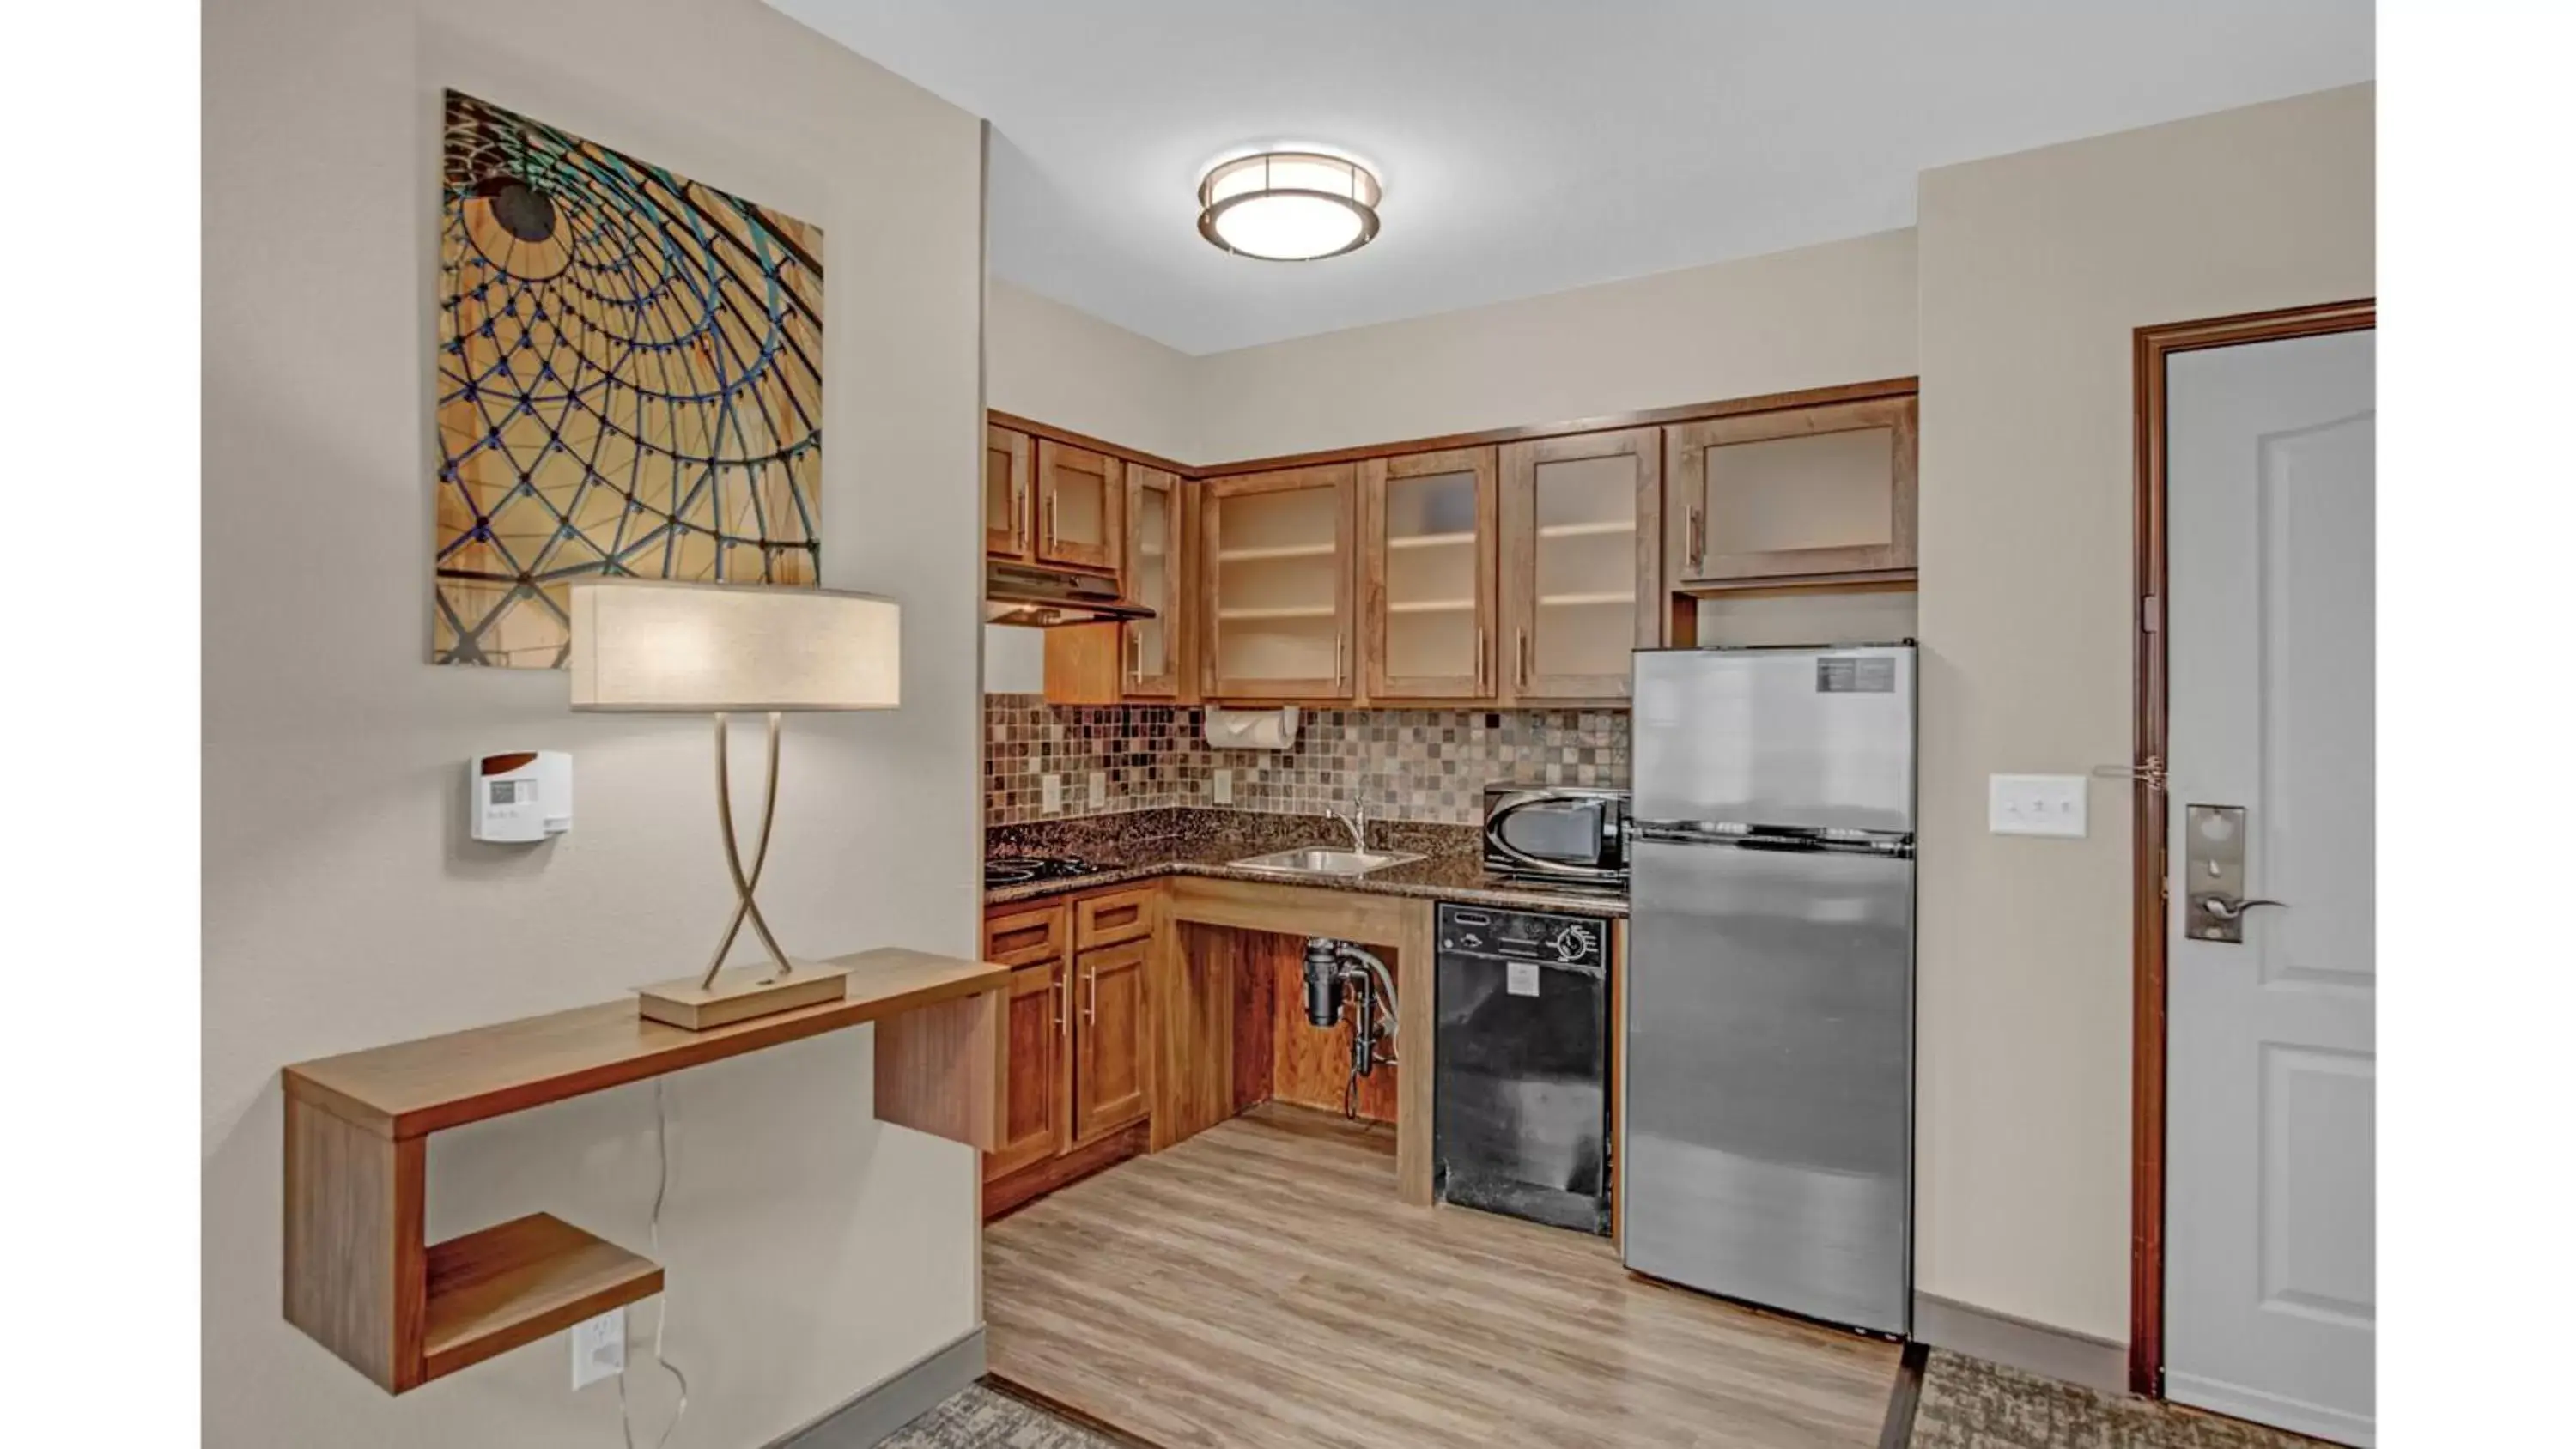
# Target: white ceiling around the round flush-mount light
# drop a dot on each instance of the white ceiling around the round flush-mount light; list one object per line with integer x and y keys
{"x": 1534, "y": 145}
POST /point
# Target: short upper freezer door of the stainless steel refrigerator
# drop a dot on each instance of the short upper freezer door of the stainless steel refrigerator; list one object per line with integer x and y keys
{"x": 1776, "y": 737}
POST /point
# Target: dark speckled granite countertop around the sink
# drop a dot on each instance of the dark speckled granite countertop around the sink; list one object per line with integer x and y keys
{"x": 1142, "y": 845}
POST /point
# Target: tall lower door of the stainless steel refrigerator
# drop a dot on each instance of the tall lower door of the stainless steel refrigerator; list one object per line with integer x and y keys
{"x": 1768, "y": 1077}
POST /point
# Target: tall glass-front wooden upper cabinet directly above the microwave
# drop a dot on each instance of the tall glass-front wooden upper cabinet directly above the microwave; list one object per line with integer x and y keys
{"x": 1580, "y": 562}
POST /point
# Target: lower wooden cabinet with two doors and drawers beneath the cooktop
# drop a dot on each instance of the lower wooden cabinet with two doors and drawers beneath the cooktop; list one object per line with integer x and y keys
{"x": 1078, "y": 1075}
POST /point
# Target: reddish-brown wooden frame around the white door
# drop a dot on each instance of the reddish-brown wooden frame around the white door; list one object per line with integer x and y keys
{"x": 2147, "y": 771}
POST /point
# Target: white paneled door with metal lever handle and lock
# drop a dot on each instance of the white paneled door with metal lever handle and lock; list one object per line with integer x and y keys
{"x": 2271, "y": 1051}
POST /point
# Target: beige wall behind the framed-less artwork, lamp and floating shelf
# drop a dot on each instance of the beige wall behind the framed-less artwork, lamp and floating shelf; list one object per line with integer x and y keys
{"x": 810, "y": 1250}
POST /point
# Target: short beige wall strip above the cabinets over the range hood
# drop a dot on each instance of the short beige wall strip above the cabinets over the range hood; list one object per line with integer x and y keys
{"x": 1078, "y": 372}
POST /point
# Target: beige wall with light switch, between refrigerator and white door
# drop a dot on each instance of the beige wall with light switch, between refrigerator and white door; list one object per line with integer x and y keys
{"x": 2036, "y": 269}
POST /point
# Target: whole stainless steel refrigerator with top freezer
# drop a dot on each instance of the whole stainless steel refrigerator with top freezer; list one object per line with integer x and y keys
{"x": 1771, "y": 979}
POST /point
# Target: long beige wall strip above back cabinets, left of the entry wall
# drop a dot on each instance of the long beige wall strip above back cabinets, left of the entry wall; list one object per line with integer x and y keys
{"x": 1823, "y": 315}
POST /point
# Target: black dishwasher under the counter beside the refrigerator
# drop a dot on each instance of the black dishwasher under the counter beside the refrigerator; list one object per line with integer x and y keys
{"x": 1521, "y": 1113}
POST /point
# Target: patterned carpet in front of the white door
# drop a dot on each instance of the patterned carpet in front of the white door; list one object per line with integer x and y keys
{"x": 1969, "y": 1404}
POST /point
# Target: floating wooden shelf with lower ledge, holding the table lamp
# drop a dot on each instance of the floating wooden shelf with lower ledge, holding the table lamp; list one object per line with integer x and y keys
{"x": 365, "y": 1283}
